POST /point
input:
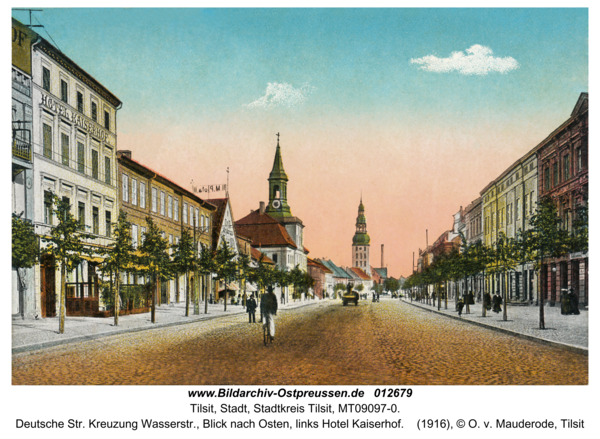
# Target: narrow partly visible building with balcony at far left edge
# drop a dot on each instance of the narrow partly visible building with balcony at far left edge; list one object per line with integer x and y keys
{"x": 23, "y": 286}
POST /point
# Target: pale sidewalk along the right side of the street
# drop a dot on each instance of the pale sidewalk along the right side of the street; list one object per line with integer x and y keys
{"x": 569, "y": 331}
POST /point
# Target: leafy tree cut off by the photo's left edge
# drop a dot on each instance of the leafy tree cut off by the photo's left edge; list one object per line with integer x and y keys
{"x": 25, "y": 251}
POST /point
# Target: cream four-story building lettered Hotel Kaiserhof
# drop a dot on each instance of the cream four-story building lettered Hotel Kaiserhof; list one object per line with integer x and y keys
{"x": 74, "y": 154}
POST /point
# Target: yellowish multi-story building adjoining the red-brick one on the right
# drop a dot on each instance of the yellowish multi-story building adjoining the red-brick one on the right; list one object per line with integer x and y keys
{"x": 507, "y": 205}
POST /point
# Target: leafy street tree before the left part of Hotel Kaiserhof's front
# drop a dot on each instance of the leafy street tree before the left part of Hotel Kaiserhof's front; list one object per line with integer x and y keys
{"x": 67, "y": 243}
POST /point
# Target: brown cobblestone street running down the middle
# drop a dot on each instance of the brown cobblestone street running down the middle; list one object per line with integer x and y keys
{"x": 383, "y": 343}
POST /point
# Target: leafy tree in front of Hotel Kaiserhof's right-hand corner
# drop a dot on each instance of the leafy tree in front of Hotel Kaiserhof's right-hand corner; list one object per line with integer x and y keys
{"x": 118, "y": 256}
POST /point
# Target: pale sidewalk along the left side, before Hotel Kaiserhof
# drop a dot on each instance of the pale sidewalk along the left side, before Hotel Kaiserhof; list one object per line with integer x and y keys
{"x": 28, "y": 335}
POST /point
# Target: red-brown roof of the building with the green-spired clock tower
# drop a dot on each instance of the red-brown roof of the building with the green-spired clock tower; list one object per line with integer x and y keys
{"x": 264, "y": 231}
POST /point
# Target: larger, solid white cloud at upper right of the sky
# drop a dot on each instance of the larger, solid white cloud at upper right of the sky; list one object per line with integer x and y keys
{"x": 478, "y": 60}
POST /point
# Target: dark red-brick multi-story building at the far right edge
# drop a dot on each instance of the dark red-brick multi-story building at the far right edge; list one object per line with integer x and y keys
{"x": 563, "y": 168}
